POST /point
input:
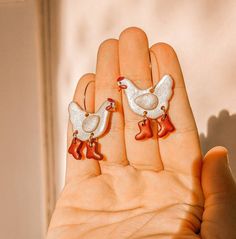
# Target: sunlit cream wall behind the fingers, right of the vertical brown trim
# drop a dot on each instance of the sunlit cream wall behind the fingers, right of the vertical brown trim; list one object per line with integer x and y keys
{"x": 202, "y": 32}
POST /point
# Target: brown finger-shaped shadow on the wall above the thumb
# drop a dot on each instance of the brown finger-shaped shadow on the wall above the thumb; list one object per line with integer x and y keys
{"x": 221, "y": 130}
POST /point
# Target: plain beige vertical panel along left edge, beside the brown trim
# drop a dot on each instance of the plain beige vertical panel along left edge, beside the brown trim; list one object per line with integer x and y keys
{"x": 22, "y": 197}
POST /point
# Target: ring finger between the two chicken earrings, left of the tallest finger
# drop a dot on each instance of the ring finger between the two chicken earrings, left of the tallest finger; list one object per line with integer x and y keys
{"x": 112, "y": 144}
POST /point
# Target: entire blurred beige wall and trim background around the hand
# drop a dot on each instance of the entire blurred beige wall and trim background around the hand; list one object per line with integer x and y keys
{"x": 47, "y": 45}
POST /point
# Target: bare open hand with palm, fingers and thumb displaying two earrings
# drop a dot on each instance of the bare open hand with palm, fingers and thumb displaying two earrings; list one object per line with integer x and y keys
{"x": 157, "y": 188}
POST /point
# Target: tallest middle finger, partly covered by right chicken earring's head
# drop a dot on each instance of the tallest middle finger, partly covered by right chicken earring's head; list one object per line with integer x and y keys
{"x": 135, "y": 65}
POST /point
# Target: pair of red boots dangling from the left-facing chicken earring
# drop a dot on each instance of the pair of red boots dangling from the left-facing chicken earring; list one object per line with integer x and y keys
{"x": 164, "y": 127}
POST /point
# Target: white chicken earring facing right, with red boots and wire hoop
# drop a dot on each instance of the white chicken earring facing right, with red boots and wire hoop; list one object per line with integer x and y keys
{"x": 88, "y": 127}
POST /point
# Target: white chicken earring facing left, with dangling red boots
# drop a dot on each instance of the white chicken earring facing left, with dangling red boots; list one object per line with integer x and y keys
{"x": 151, "y": 104}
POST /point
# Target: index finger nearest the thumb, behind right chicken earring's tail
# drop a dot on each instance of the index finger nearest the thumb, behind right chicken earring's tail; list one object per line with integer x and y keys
{"x": 180, "y": 151}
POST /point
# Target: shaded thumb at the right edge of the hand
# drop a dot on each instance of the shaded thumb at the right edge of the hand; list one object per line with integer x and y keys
{"x": 219, "y": 188}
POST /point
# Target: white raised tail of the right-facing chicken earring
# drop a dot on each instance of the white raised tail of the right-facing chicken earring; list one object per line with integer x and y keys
{"x": 77, "y": 115}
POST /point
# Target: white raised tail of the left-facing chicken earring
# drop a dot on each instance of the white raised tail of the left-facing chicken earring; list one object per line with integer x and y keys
{"x": 163, "y": 90}
